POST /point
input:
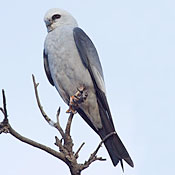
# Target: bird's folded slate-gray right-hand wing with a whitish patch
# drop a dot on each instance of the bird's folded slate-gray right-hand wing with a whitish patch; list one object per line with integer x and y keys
{"x": 90, "y": 59}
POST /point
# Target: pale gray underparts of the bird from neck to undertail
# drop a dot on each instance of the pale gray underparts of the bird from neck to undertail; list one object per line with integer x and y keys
{"x": 68, "y": 71}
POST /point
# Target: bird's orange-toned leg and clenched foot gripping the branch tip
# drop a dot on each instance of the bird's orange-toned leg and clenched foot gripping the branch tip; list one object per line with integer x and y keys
{"x": 78, "y": 98}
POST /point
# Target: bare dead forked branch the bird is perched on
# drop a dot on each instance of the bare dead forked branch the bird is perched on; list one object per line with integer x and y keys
{"x": 65, "y": 144}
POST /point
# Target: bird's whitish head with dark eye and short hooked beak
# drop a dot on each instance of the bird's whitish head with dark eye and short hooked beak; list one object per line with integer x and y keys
{"x": 57, "y": 17}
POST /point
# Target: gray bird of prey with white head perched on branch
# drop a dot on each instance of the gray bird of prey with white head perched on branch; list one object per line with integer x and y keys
{"x": 71, "y": 63}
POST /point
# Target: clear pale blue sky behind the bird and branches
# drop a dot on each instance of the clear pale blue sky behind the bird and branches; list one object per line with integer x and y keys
{"x": 136, "y": 44}
